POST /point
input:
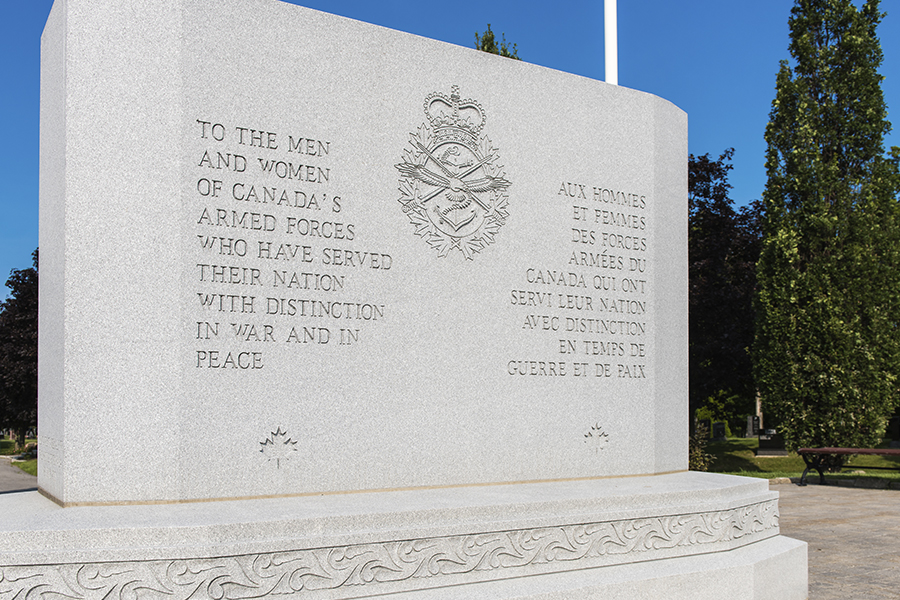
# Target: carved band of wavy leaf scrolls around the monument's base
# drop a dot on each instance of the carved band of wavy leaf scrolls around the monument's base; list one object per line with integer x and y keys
{"x": 352, "y": 571}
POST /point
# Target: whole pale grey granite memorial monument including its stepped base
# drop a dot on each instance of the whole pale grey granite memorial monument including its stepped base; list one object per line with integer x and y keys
{"x": 333, "y": 311}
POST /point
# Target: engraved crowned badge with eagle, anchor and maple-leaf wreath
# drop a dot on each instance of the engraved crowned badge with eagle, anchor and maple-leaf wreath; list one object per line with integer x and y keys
{"x": 453, "y": 190}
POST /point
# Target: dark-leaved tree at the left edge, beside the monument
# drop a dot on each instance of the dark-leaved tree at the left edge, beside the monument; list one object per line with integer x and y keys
{"x": 18, "y": 352}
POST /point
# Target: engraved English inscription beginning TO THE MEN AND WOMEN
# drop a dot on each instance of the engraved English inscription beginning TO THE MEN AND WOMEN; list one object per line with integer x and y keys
{"x": 277, "y": 259}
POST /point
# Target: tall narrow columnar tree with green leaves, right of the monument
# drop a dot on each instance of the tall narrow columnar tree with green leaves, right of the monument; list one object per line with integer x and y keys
{"x": 826, "y": 350}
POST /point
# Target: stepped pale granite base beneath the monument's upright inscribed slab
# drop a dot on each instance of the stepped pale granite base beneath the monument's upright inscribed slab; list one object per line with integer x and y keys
{"x": 627, "y": 536}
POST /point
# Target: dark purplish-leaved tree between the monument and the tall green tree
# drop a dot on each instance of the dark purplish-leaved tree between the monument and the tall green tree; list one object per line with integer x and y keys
{"x": 723, "y": 247}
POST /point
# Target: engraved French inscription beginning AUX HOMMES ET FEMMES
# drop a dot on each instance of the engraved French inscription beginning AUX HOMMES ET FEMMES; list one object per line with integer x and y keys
{"x": 592, "y": 306}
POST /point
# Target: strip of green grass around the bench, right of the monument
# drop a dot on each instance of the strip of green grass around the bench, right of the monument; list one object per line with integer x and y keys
{"x": 737, "y": 456}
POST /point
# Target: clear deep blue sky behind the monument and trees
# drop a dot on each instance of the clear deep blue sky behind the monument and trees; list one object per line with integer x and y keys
{"x": 716, "y": 59}
